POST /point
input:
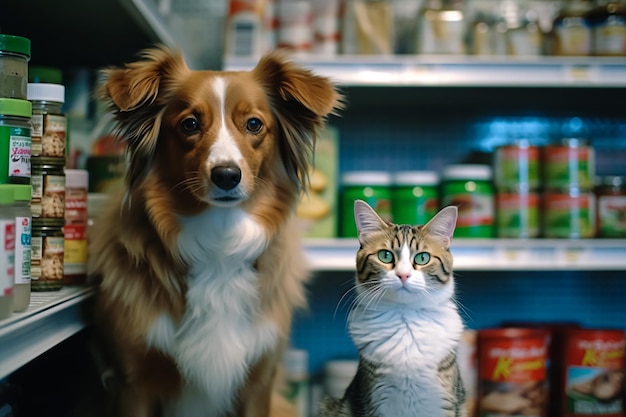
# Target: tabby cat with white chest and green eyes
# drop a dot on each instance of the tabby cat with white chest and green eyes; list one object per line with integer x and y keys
{"x": 404, "y": 322}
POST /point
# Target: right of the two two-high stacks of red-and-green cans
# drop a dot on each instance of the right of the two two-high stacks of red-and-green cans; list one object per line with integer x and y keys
{"x": 568, "y": 199}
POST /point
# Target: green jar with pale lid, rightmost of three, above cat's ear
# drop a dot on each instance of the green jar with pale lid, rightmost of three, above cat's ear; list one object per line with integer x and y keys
{"x": 470, "y": 188}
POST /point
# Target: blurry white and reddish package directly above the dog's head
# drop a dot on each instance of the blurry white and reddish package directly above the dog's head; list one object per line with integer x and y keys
{"x": 251, "y": 27}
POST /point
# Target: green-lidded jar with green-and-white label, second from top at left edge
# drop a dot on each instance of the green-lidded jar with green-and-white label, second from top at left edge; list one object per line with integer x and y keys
{"x": 15, "y": 141}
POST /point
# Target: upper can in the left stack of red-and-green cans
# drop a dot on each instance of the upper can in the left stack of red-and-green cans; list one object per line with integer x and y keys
{"x": 517, "y": 165}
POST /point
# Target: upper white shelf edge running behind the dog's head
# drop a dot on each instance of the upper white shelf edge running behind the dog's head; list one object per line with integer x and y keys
{"x": 461, "y": 71}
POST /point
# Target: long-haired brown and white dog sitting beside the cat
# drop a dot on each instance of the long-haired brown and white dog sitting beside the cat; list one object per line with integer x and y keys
{"x": 198, "y": 264}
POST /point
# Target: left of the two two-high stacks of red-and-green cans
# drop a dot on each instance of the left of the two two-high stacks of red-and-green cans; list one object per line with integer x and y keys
{"x": 517, "y": 182}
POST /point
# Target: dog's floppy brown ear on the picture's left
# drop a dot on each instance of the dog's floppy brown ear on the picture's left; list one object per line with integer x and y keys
{"x": 136, "y": 95}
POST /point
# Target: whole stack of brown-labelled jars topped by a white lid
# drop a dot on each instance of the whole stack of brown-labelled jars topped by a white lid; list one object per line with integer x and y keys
{"x": 49, "y": 131}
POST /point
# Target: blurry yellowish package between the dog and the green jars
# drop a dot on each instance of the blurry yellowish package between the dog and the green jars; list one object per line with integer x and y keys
{"x": 317, "y": 209}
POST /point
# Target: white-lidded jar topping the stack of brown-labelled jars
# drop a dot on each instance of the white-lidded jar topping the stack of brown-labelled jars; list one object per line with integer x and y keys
{"x": 49, "y": 124}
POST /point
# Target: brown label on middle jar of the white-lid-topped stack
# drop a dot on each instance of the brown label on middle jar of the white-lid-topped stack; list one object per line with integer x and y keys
{"x": 48, "y": 196}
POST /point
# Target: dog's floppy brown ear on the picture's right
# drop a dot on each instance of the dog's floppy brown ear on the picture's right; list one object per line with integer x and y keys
{"x": 300, "y": 101}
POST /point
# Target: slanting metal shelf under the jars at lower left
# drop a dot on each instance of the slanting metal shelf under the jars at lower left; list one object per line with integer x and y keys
{"x": 51, "y": 318}
